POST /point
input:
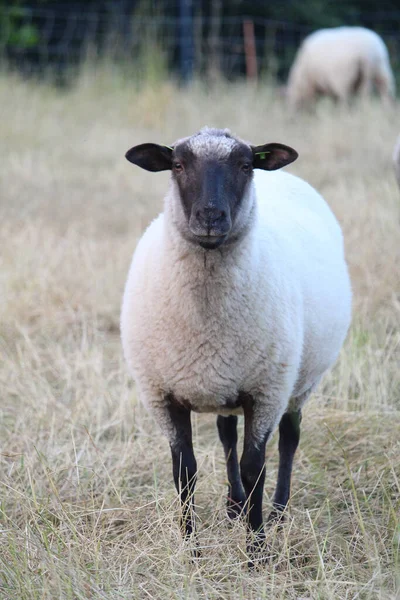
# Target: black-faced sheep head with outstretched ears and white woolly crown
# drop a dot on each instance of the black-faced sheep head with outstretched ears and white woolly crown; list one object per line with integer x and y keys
{"x": 211, "y": 174}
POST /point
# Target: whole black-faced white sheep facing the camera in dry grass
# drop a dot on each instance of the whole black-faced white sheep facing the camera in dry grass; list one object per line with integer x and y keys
{"x": 237, "y": 301}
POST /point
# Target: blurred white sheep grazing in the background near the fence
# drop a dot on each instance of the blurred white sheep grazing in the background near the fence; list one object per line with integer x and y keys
{"x": 339, "y": 62}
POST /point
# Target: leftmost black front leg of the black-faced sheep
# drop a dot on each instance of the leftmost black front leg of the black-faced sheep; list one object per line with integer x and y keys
{"x": 183, "y": 462}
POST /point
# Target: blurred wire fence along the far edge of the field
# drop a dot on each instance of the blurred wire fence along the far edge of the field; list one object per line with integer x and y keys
{"x": 36, "y": 38}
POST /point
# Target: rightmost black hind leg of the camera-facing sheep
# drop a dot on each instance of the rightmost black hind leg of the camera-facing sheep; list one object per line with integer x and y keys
{"x": 289, "y": 435}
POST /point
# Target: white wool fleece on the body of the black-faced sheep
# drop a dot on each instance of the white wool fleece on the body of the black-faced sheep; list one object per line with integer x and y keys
{"x": 266, "y": 316}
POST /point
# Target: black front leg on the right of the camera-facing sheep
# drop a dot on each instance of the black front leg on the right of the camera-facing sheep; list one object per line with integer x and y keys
{"x": 252, "y": 468}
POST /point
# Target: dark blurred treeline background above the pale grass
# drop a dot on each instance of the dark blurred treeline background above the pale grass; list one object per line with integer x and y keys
{"x": 186, "y": 37}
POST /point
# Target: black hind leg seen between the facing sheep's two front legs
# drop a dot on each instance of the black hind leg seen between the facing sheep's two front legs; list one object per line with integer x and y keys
{"x": 227, "y": 429}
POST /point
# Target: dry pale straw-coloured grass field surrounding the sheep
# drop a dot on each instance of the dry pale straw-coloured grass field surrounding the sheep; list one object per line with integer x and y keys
{"x": 87, "y": 503}
